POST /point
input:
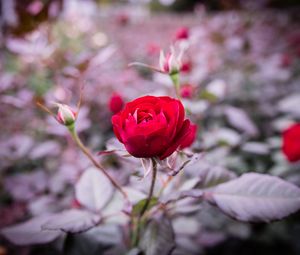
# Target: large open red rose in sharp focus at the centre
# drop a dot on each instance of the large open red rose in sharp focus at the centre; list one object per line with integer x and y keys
{"x": 153, "y": 127}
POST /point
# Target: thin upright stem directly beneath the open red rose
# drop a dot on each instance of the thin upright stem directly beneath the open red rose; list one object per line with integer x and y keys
{"x": 139, "y": 220}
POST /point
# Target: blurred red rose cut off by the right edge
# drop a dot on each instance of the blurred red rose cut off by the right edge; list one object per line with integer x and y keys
{"x": 291, "y": 143}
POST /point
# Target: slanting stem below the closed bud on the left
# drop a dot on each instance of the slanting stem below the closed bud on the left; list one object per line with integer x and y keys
{"x": 93, "y": 160}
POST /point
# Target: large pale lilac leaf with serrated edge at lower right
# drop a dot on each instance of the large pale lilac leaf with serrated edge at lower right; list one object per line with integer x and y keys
{"x": 256, "y": 197}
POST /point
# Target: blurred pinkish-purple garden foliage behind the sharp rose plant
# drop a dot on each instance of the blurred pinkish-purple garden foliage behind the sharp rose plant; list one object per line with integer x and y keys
{"x": 240, "y": 84}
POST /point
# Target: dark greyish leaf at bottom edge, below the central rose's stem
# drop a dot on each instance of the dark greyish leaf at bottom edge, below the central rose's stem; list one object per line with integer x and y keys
{"x": 158, "y": 237}
